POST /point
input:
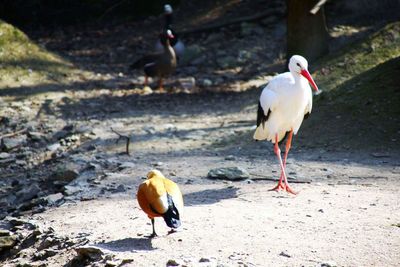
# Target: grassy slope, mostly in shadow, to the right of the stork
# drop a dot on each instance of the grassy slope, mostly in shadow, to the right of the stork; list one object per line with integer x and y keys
{"x": 360, "y": 106}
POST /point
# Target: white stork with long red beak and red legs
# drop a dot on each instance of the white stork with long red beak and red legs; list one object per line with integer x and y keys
{"x": 284, "y": 103}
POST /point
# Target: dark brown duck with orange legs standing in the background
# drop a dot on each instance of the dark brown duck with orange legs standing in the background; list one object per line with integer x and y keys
{"x": 159, "y": 64}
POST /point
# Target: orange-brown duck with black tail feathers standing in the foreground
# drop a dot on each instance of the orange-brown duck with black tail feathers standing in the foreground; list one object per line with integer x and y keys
{"x": 160, "y": 197}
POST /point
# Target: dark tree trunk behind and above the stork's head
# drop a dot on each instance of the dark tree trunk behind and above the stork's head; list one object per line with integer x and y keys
{"x": 307, "y": 34}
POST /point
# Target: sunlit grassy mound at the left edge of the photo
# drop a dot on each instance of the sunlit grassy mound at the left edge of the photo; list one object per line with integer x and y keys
{"x": 24, "y": 63}
